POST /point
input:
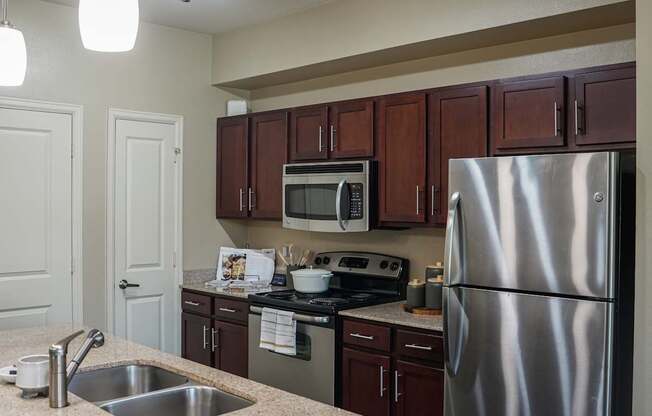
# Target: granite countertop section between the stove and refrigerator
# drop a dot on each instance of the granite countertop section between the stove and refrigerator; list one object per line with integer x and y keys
{"x": 393, "y": 313}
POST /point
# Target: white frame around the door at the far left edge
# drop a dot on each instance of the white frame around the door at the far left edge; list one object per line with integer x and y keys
{"x": 77, "y": 114}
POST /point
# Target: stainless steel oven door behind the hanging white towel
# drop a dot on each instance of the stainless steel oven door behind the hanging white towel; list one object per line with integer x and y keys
{"x": 311, "y": 373}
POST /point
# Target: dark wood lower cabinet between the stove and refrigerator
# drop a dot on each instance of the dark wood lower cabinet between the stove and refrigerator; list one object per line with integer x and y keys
{"x": 397, "y": 382}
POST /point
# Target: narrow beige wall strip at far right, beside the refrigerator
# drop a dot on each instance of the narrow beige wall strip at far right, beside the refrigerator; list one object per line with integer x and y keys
{"x": 643, "y": 303}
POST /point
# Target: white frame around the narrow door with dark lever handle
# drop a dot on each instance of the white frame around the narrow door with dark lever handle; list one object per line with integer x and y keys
{"x": 177, "y": 121}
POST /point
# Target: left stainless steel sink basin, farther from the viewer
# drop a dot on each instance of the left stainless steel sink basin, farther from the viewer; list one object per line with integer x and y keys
{"x": 123, "y": 381}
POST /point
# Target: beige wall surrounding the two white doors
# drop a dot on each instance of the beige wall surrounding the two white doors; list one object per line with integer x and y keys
{"x": 168, "y": 72}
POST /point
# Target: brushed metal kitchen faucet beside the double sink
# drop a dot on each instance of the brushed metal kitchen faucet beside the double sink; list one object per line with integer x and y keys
{"x": 60, "y": 374}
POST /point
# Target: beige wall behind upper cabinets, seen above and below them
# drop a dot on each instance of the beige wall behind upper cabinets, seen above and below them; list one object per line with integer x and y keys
{"x": 423, "y": 246}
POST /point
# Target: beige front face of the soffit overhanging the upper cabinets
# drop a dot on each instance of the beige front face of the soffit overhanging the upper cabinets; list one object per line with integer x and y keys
{"x": 342, "y": 29}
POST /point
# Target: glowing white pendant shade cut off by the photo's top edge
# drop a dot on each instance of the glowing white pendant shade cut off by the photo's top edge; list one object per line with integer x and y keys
{"x": 108, "y": 25}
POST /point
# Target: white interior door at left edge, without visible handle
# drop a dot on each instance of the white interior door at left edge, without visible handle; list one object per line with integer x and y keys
{"x": 35, "y": 218}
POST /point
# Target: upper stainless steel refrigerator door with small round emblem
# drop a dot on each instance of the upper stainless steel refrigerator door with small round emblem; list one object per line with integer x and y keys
{"x": 533, "y": 223}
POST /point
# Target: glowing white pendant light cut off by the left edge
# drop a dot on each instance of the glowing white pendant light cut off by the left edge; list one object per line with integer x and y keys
{"x": 12, "y": 52}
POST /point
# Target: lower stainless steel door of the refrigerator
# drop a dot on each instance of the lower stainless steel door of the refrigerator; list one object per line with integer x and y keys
{"x": 514, "y": 354}
